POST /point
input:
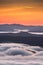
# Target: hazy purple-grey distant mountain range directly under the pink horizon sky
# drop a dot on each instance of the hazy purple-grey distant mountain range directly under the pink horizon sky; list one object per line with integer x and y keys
{"x": 11, "y": 27}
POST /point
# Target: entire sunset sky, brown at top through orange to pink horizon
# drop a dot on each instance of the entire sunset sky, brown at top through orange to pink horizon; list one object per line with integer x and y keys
{"x": 25, "y": 12}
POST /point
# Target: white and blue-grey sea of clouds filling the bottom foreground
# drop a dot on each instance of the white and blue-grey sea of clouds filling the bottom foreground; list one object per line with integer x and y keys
{"x": 20, "y": 54}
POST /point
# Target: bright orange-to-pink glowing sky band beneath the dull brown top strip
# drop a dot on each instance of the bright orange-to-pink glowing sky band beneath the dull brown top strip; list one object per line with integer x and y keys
{"x": 26, "y": 15}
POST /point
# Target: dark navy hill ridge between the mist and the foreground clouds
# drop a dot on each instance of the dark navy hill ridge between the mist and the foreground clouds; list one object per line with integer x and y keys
{"x": 22, "y": 37}
